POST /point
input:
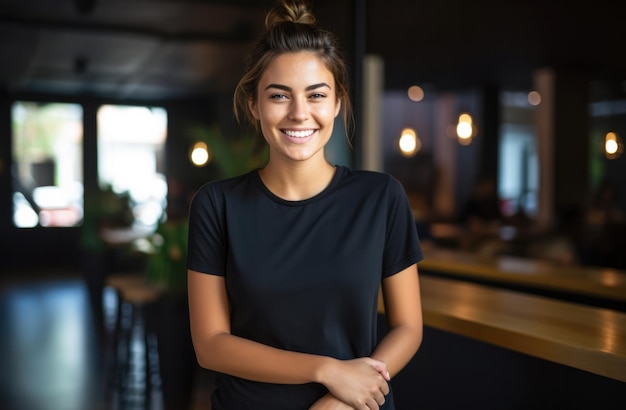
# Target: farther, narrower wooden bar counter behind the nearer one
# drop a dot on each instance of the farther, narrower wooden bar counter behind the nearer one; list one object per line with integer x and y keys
{"x": 600, "y": 286}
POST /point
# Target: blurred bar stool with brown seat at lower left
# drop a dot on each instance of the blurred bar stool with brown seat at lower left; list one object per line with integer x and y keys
{"x": 133, "y": 357}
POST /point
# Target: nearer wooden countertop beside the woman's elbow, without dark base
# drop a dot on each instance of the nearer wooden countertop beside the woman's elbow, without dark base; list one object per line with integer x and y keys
{"x": 586, "y": 338}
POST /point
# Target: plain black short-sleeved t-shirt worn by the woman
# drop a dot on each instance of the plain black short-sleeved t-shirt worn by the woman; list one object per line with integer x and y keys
{"x": 301, "y": 275}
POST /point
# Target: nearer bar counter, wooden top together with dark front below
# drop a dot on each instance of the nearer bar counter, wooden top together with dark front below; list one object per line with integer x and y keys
{"x": 492, "y": 348}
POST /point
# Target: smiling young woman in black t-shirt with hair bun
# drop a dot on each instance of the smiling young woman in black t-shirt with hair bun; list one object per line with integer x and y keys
{"x": 285, "y": 262}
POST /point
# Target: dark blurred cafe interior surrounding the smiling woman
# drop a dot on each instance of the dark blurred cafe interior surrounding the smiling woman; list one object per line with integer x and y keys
{"x": 504, "y": 120}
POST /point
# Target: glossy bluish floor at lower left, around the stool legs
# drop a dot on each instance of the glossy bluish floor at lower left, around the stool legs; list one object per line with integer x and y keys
{"x": 53, "y": 355}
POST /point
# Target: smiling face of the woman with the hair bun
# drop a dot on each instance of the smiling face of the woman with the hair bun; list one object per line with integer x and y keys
{"x": 296, "y": 106}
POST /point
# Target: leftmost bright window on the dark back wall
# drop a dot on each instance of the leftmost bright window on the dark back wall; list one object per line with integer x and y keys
{"x": 47, "y": 164}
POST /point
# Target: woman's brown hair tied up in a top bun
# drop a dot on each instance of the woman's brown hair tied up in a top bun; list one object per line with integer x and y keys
{"x": 291, "y": 27}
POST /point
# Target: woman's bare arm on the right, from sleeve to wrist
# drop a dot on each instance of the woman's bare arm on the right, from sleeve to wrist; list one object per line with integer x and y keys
{"x": 403, "y": 308}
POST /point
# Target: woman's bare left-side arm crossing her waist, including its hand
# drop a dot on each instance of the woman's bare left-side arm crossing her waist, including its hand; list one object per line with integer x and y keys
{"x": 357, "y": 381}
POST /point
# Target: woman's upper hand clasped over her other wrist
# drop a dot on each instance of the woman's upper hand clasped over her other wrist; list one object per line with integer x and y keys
{"x": 360, "y": 383}
